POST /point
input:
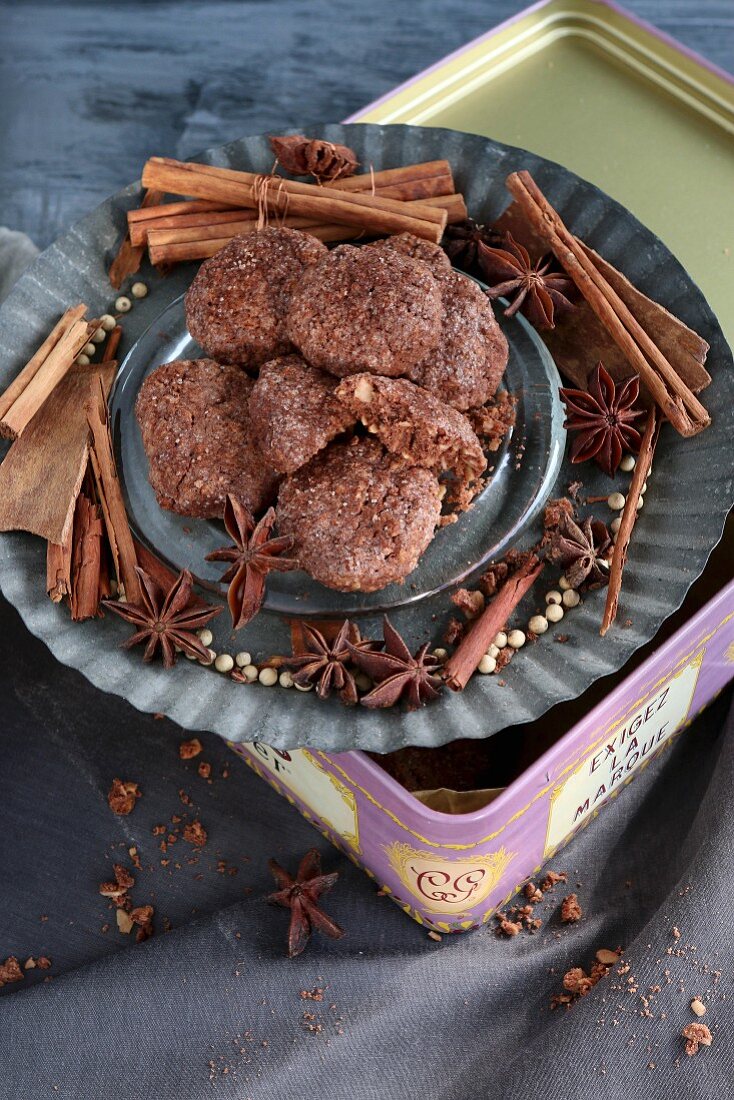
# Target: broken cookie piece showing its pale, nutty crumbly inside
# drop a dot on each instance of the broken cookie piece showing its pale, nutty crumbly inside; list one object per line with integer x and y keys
{"x": 417, "y": 426}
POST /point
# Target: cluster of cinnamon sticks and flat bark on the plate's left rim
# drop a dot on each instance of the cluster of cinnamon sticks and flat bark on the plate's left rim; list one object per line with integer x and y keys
{"x": 59, "y": 479}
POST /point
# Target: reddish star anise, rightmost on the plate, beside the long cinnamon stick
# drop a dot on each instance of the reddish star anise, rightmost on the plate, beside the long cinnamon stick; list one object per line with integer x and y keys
{"x": 604, "y": 420}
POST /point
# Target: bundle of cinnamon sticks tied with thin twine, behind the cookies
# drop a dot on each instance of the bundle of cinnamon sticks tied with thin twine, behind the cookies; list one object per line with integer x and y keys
{"x": 419, "y": 199}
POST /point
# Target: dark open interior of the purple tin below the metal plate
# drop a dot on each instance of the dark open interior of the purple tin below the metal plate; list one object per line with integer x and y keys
{"x": 467, "y": 775}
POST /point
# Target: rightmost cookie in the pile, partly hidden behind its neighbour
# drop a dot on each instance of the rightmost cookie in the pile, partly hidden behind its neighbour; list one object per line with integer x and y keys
{"x": 466, "y": 368}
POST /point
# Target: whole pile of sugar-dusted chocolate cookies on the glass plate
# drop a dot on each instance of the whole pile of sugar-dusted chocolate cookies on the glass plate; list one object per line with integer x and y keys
{"x": 336, "y": 387}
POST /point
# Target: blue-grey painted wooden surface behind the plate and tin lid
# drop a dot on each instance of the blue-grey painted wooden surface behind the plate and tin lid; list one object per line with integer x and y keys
{"x": 90, "y": 90}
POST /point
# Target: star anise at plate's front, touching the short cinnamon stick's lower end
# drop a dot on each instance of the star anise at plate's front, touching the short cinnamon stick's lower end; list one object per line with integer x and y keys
{"x": 398, "y": 673}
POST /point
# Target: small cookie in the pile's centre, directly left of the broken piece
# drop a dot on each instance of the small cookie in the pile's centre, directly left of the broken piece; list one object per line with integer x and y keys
{"x": 294, "y": 412}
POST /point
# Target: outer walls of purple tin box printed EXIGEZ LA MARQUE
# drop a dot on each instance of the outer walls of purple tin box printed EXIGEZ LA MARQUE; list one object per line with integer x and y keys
{"x": 453, "y": 872}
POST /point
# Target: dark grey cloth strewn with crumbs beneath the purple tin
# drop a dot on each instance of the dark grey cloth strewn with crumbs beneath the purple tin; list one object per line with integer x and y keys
{"x": 402, "y": 1017}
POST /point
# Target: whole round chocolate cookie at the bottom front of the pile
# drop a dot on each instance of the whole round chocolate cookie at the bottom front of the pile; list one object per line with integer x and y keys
{"x": 361, "y": 518}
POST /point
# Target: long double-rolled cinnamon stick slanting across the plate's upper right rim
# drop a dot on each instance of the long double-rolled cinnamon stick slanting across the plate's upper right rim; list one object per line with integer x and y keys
{"x": 671, "y": 393}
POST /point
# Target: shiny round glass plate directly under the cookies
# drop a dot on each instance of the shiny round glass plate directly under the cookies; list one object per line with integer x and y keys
{"x": 523, "y": 475}
